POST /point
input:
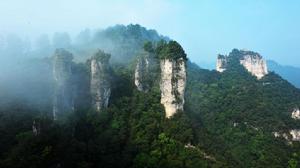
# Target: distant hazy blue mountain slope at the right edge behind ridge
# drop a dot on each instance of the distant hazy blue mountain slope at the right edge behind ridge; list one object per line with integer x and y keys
{"x": 289, "y": 73}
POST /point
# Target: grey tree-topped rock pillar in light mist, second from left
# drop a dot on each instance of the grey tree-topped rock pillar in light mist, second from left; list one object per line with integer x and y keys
{"x": 100, "y": 86}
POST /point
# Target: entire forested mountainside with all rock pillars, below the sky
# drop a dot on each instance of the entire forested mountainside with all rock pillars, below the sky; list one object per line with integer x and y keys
{"x": 129, "y": 97}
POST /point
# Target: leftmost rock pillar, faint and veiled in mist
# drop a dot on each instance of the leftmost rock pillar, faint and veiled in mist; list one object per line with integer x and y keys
{"x": 63, "y": 90}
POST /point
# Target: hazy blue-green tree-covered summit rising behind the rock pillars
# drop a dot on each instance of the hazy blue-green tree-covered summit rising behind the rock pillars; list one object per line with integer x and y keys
{"x": 124, "y": 43}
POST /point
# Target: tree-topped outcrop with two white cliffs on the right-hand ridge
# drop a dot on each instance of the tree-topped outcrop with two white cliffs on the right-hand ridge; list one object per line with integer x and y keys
{"x": 253, "y": 62}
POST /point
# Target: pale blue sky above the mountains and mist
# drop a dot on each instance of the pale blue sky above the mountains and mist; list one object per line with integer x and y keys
{"x": 203, "y": 27}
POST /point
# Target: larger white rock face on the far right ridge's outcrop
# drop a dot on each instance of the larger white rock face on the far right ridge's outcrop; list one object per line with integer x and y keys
{"x": 255, "y": 65}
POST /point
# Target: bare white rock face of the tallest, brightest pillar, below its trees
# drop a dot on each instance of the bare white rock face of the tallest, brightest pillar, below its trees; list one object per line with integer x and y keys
{"x": 173, "y": 81}
